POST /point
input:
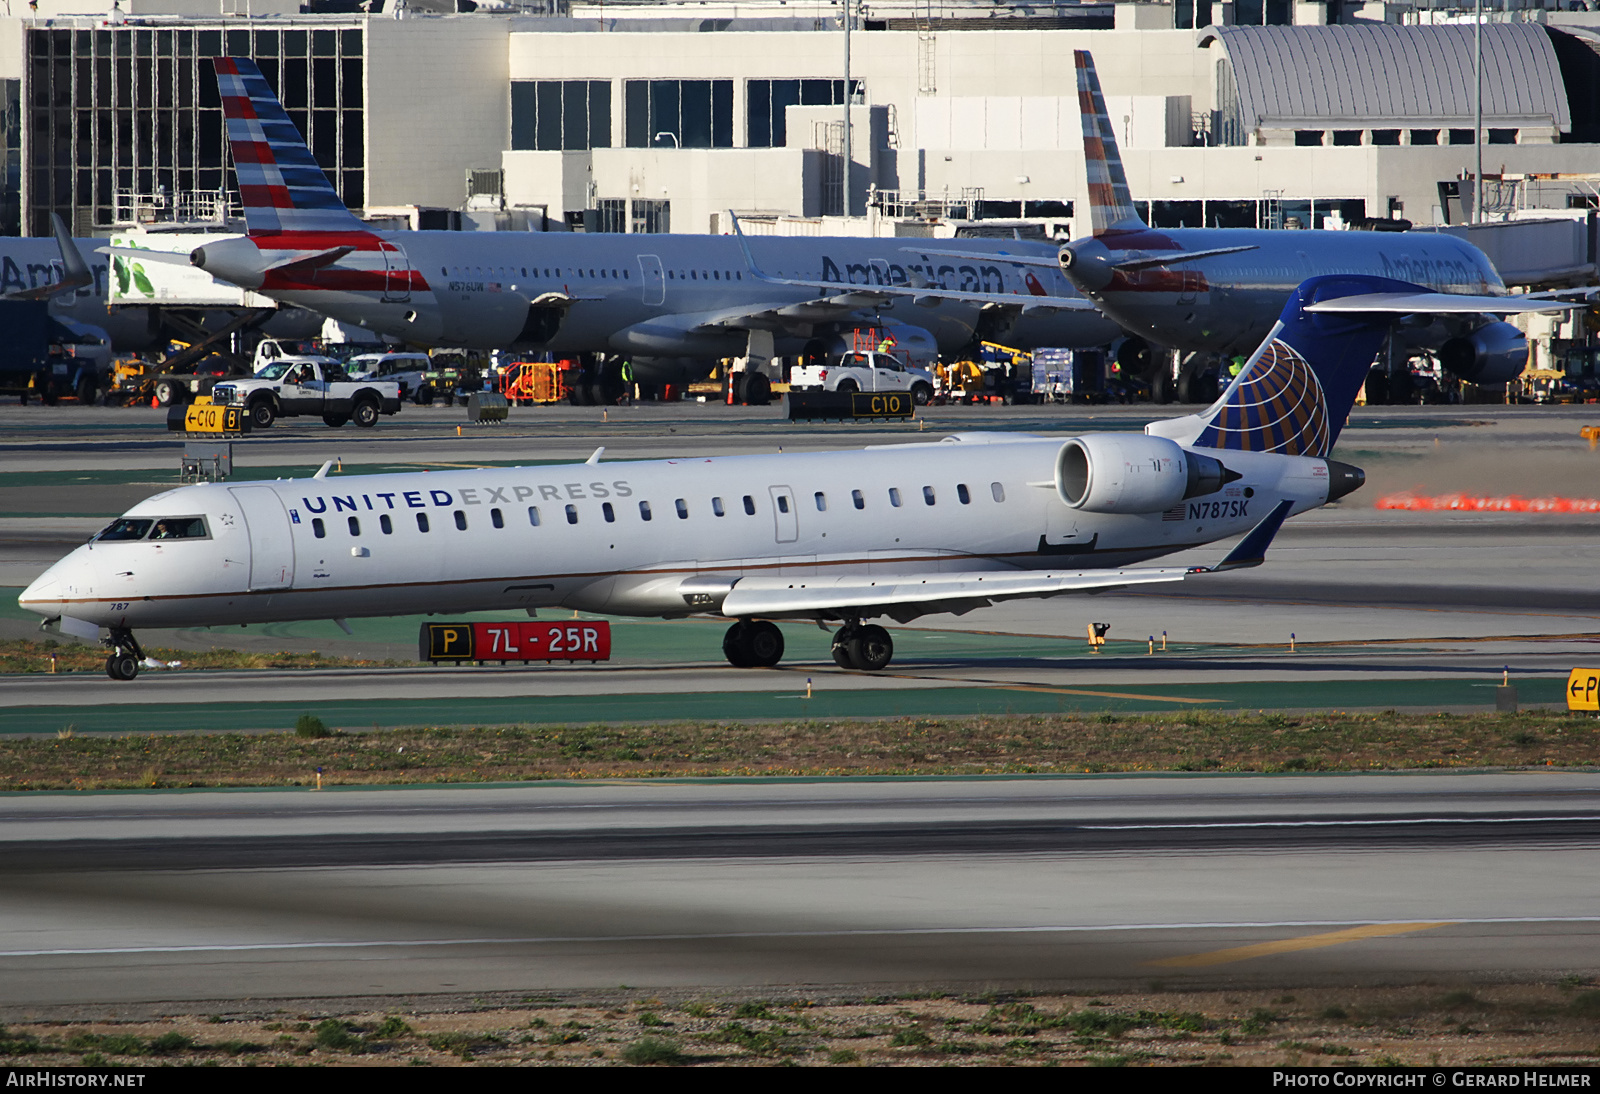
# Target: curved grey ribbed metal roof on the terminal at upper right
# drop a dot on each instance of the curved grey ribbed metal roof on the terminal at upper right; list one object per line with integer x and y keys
{"x": 1377, "y": 76}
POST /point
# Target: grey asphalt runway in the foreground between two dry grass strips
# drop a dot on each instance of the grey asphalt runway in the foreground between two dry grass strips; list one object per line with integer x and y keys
{"x": 1050, "y": 884}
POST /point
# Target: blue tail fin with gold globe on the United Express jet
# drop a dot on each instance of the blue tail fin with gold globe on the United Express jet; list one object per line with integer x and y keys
{"x": 1298, "y": 389}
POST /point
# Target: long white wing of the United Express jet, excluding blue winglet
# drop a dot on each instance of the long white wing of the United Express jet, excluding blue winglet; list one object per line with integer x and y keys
{"x": 911, "y": 596}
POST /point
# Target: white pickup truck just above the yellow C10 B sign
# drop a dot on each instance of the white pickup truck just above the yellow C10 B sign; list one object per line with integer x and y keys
{"x": 310, "y": 386}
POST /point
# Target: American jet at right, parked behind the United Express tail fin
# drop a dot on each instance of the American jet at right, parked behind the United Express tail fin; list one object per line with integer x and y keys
{"x": 1220, "y": 290}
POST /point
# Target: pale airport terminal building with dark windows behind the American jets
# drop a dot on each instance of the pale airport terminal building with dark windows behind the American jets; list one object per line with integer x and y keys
{"x": 641, "y": 118}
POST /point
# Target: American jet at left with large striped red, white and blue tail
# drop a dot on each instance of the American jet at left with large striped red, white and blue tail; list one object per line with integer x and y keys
{"x": 673, "y": 303}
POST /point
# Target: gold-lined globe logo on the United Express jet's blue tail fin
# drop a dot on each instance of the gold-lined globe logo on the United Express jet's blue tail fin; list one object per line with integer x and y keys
{"x": 1276, "y": 407}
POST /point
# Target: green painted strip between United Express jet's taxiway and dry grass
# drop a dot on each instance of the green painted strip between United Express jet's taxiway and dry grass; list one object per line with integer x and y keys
{"x": 766, "y": 706}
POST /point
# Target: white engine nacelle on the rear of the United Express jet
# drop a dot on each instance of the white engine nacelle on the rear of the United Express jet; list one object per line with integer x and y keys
{"x": 1134, "y": 474}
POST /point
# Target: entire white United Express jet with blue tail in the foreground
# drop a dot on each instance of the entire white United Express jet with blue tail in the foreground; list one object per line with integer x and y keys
{"x": 847, "y": 537}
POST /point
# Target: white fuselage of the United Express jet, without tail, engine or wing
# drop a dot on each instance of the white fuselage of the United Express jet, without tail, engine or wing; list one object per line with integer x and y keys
{"x": 543, "y": 537}
